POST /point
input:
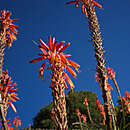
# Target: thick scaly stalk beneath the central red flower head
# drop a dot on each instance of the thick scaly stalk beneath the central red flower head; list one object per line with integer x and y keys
{"x": 60, "y": 115}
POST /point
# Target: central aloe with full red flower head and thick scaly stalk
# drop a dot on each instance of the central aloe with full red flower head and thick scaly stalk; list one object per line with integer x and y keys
{"x": 53, "y": 56}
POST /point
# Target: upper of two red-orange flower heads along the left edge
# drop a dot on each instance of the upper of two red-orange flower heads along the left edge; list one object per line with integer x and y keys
{"x": 8, "y": 29}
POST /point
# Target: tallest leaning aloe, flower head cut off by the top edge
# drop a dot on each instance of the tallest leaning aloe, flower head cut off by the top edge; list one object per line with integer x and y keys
{"x": 88, "y": 8}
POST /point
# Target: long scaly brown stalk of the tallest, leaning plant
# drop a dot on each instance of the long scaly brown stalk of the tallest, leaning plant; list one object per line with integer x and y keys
{"x": 101, "y": 69}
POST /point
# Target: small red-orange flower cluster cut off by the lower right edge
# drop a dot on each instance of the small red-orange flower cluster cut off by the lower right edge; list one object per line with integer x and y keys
{"x": 126, "y": 102}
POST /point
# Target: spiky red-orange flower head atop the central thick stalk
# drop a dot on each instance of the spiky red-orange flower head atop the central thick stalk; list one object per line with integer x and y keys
{"x": 54, "y": 54}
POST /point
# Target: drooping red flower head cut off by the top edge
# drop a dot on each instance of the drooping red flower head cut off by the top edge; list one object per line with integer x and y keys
{"x": 84, "y": 3}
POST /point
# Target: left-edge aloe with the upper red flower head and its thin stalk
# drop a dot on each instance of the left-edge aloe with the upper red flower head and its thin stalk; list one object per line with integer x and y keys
{"x": 7, "y": 36}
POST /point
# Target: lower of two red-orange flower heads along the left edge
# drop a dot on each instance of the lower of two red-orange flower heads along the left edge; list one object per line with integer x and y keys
{"x": 8, "y": 91}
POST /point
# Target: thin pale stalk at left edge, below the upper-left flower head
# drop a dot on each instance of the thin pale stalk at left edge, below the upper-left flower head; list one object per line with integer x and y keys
{"x": 2, "y": 48}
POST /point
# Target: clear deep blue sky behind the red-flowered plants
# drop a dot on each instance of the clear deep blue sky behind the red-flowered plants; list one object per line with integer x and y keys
{"x": 39, "y": 18}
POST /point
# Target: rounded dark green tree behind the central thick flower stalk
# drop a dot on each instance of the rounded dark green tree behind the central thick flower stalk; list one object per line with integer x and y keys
{"x": 74, "y": 100}
